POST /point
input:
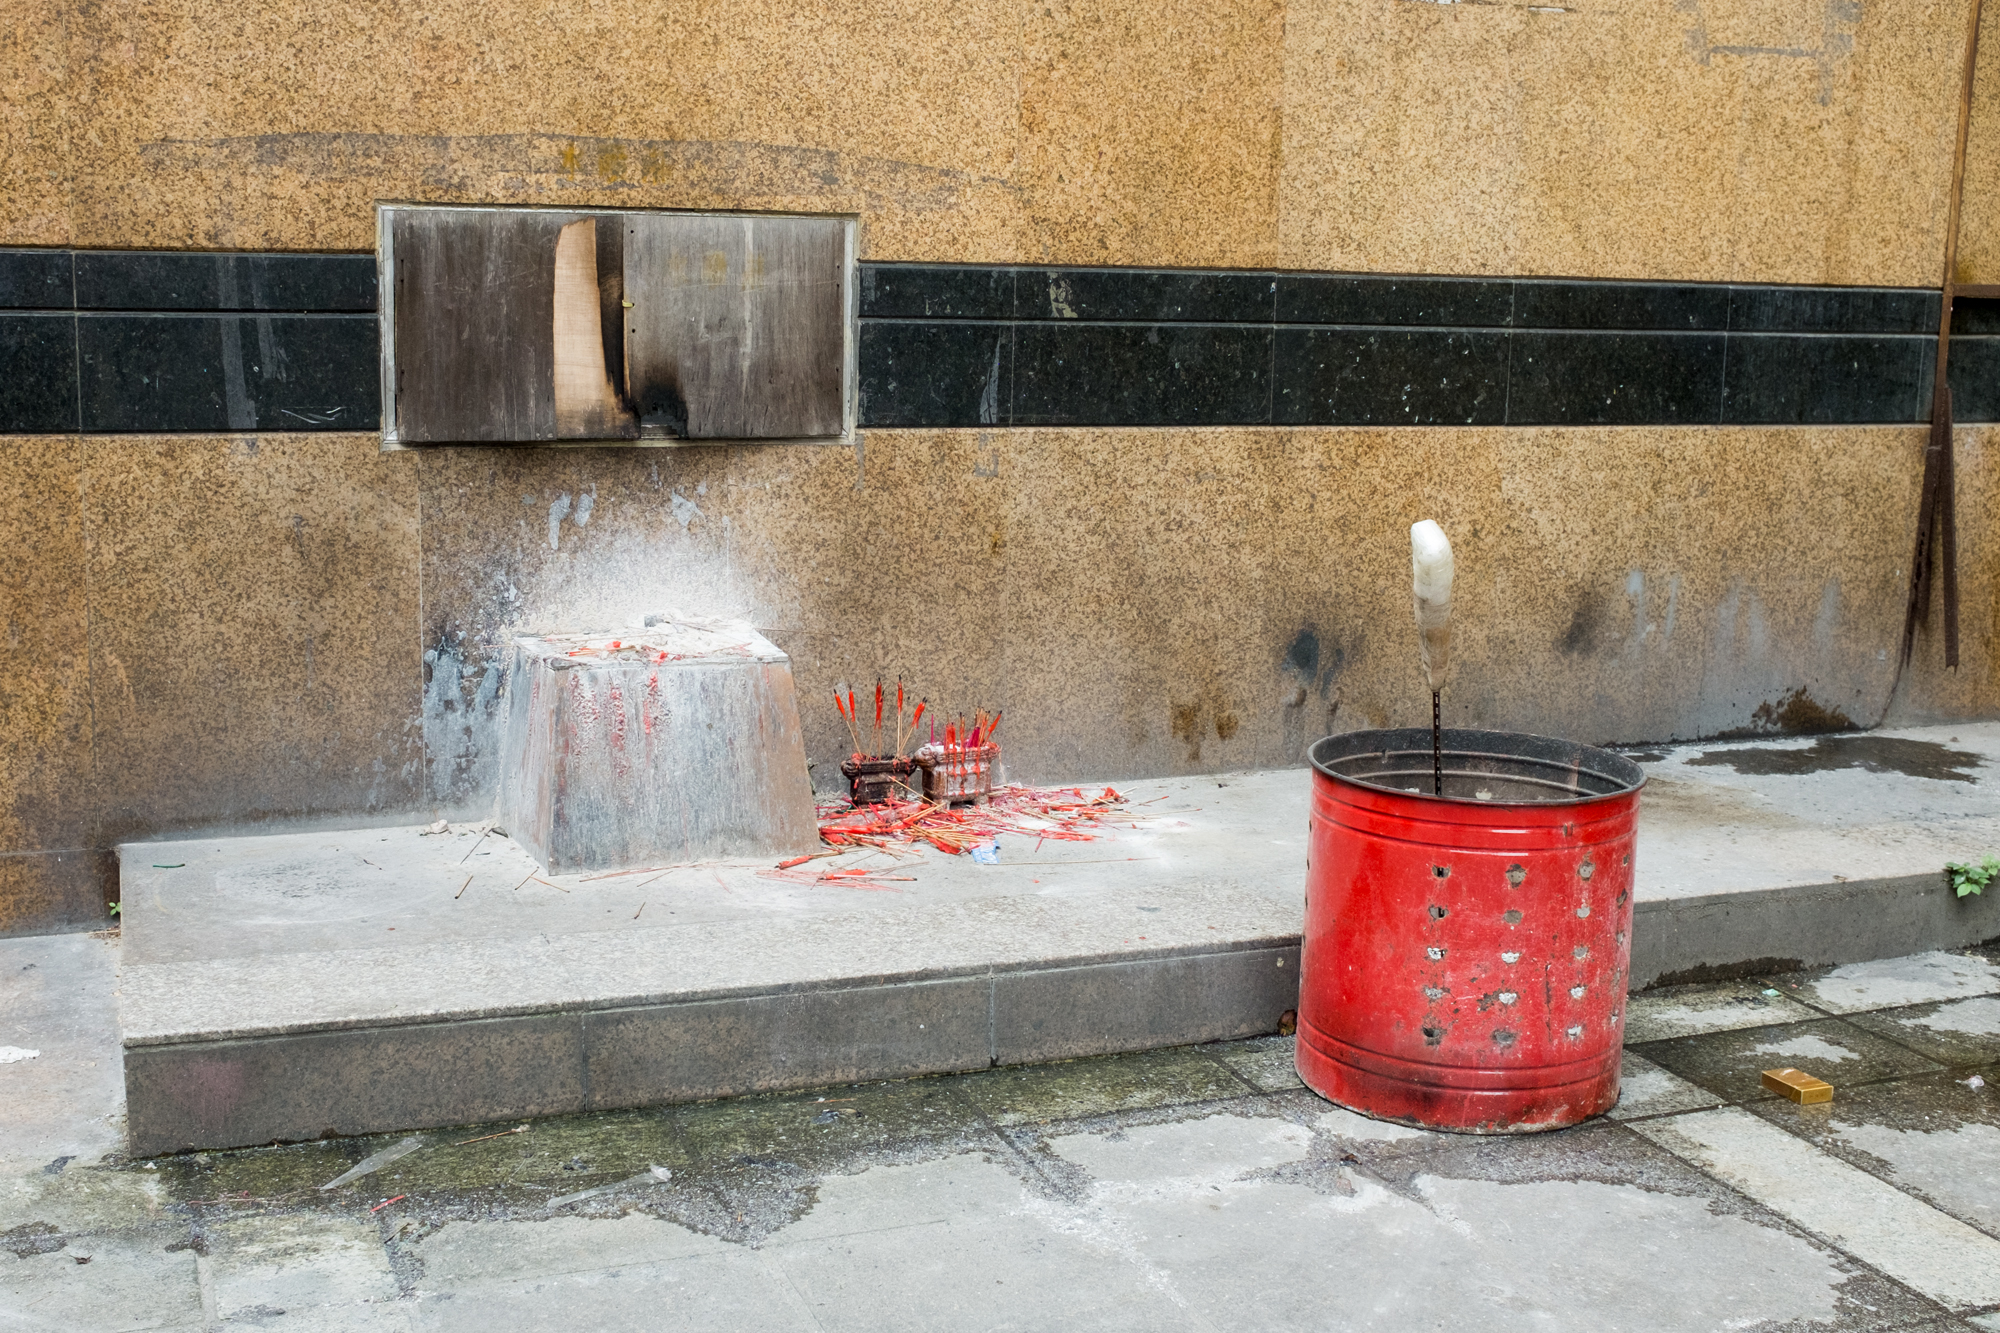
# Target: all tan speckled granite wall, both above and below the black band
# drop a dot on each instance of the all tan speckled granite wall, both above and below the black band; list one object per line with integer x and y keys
{"x": 255, "y": 631}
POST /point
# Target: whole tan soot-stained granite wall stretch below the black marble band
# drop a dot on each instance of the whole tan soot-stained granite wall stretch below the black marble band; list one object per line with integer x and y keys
{"x": 263, "y": 631}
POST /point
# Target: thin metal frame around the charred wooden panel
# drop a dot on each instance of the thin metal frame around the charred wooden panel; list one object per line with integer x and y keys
{"x": 387, "y": 323}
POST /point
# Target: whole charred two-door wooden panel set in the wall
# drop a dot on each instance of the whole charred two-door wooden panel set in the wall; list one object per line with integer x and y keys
{"x": 523, "y": 325}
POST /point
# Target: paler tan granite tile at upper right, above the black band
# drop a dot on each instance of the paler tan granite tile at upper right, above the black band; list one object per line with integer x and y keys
{"x": 1621, "y": 141}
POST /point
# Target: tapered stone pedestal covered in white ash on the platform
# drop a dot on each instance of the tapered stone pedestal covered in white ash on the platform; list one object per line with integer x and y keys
{"x": 653, "y": 748}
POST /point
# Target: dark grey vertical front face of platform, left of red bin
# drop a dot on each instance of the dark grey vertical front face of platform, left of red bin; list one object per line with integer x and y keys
{"x": 471, "y": 1072}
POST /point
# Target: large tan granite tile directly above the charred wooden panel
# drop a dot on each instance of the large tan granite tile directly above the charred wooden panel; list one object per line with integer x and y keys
{"x": 219, "y": 135}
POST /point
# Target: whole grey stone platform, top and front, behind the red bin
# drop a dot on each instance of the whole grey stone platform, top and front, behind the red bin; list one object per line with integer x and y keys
{"x": 351, "y": 982}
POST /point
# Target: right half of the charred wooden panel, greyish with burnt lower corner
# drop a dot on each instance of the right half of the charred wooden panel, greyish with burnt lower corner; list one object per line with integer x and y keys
{"x": 735, "y": 329}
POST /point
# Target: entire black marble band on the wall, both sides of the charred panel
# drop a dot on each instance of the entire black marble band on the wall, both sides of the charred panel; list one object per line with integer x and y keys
{"x": 105, "y": 341}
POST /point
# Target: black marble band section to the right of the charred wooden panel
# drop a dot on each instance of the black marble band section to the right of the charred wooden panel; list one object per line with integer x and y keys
{"x": 1117, "y": 347}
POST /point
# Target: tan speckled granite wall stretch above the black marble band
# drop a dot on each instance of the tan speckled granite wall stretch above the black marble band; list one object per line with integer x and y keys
{"x": 1775, "y": 141}
